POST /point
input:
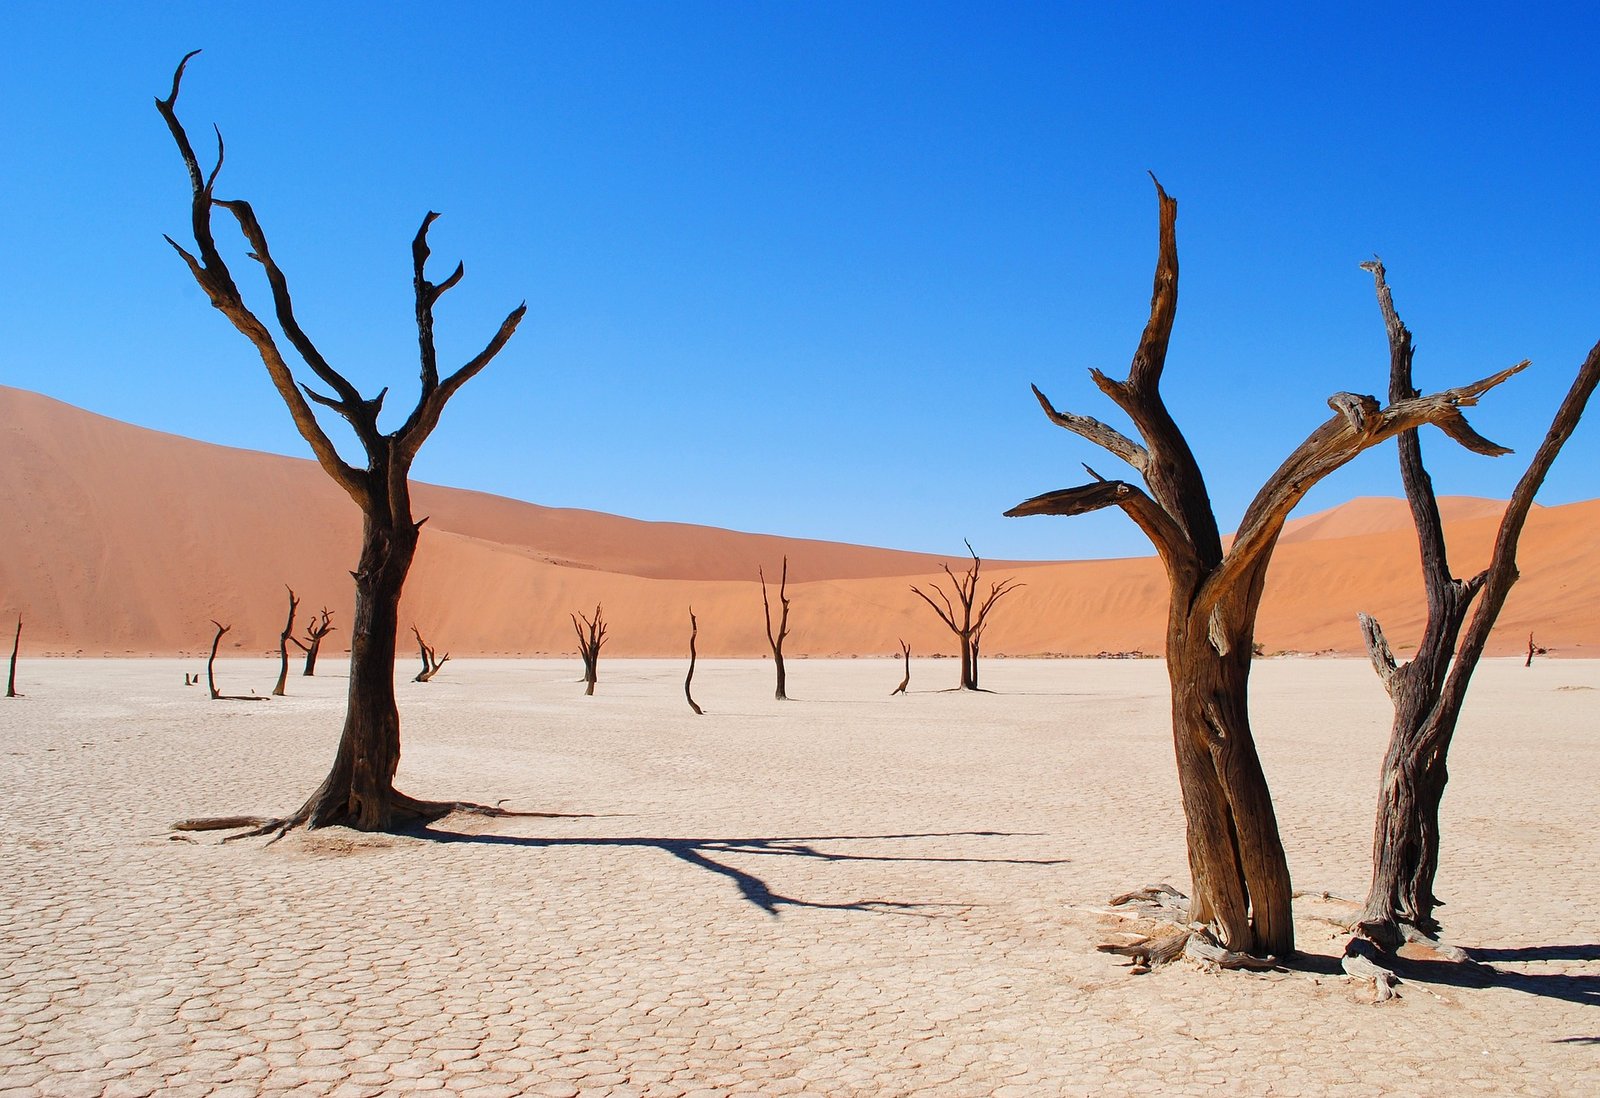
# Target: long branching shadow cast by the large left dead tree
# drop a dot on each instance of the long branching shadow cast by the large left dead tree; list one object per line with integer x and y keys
{"x": 698, "y": 854}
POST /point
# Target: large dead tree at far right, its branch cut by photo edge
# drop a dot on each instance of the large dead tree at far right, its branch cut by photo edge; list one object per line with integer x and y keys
{"x": 1428, "y": 692}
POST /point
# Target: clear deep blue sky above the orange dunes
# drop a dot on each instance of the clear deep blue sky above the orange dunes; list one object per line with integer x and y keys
{"x": 791, "y": 268}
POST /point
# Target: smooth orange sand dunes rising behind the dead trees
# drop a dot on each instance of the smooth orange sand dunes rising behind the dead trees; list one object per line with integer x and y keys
{"x": 129, "y": 542}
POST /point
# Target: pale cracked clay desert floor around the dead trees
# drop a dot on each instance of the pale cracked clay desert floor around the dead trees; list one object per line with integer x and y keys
{"x": 844, "y": 894}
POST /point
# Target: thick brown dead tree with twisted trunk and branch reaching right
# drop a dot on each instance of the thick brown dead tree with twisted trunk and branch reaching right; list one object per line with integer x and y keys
{"x": 1241, "y": 876}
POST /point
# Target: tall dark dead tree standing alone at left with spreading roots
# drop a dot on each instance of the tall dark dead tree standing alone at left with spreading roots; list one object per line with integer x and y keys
{"x": 359, "y": 790}
